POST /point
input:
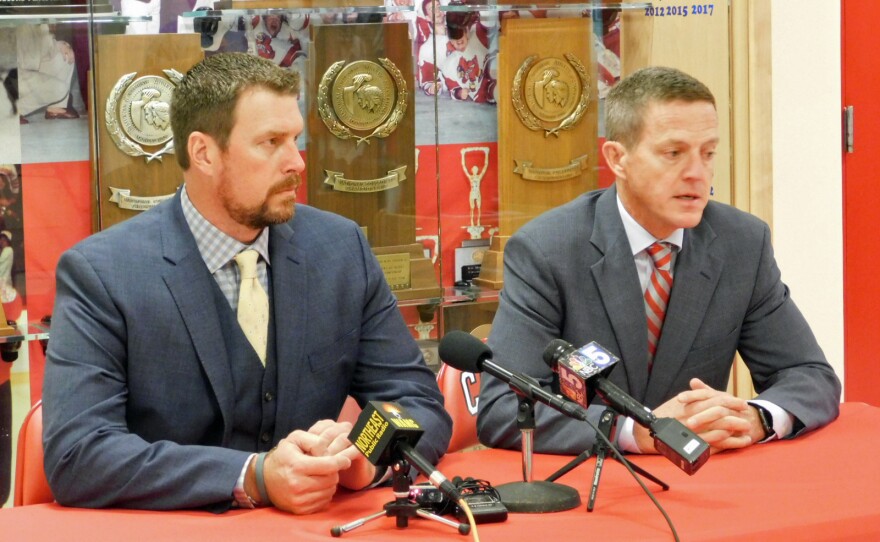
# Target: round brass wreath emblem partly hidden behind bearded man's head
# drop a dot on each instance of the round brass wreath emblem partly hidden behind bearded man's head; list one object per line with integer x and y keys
{"x": 138, "y": 112}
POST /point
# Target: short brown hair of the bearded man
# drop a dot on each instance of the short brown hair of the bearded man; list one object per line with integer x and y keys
{"x": 205, "y": 100}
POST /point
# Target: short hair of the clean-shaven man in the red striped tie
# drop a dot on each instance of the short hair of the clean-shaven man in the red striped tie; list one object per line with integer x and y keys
{"x": 627, "y": 101}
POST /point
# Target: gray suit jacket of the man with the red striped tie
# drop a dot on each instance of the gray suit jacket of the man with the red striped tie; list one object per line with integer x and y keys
{"x": 570, "y": 274}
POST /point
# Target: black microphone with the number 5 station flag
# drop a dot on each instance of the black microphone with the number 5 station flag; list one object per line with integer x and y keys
{"x": 584, "y": 368}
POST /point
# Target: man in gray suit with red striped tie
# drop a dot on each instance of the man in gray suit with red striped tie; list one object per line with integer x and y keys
{"x": 580, "y": 272}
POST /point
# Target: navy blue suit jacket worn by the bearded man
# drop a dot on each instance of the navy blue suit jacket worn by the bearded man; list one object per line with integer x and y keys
{"x": 138, "y": 392}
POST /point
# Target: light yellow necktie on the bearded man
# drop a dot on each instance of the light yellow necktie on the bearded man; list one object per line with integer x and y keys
{"x": 253, "y": 303}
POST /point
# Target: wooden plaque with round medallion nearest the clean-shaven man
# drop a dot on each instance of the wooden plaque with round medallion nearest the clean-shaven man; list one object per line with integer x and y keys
{"x": 548, "y": 115}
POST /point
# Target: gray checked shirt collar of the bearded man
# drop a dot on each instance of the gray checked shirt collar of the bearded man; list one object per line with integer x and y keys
{"x": 216, "y": 247}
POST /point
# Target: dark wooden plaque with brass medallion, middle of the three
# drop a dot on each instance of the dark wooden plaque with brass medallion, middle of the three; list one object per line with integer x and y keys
{"x": 361, "y": 150}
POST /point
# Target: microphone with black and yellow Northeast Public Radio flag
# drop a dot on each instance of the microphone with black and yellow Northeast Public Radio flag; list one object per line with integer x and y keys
{"x": 385, "y": 433}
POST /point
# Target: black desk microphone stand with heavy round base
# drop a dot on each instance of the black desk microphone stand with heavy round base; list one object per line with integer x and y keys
{"x": 534, "y": 496}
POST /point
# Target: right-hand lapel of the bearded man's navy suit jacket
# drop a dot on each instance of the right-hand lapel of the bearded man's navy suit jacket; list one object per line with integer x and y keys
{"x": 289, "y": 295}
